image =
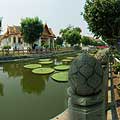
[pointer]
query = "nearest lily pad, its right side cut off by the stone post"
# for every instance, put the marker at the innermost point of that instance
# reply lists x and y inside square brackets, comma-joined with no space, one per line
[60,77]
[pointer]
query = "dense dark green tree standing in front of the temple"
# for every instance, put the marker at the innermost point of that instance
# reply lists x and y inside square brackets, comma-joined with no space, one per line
[31,29]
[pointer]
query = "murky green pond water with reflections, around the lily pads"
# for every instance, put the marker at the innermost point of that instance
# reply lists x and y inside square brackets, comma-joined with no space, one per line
[27,96]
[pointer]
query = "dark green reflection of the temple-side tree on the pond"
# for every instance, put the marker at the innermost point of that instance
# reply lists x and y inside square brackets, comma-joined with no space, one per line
[33,84]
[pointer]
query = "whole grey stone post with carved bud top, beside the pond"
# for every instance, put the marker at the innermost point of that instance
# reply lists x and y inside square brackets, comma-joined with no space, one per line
[86,98]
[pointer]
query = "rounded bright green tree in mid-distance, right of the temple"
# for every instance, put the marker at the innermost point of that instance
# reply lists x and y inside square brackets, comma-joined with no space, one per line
[71,35]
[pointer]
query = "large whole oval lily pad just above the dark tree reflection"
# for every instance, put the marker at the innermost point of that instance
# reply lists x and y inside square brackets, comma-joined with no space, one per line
[43,70]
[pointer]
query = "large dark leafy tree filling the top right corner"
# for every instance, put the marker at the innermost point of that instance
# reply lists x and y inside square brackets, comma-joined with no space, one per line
[103,18]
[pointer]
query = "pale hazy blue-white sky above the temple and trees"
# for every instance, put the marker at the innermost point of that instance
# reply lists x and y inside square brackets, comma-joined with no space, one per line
[57,14]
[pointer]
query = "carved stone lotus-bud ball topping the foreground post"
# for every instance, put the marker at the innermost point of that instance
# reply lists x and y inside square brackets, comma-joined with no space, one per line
[85,75]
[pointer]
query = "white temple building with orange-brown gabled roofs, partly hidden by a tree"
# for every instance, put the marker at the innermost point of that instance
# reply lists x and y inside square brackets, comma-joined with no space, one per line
[13,37]
